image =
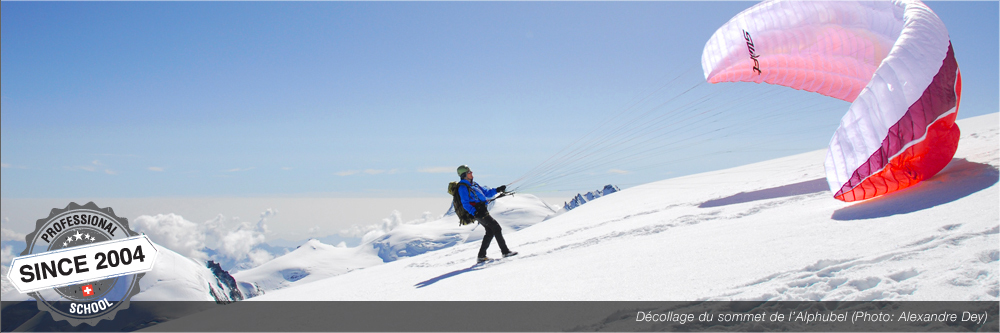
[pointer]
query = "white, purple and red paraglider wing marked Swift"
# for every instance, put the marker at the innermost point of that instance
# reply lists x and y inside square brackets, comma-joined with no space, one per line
[892,60]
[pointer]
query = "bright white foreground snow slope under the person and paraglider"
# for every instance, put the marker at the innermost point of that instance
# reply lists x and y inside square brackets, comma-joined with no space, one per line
[765,231]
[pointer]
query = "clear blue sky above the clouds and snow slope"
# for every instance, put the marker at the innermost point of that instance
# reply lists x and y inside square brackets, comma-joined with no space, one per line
[194,99]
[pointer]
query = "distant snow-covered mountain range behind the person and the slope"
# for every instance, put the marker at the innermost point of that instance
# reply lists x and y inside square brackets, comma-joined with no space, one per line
[224,280]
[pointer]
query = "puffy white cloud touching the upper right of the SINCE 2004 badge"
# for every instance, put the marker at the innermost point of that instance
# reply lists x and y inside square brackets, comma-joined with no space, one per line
[174,232]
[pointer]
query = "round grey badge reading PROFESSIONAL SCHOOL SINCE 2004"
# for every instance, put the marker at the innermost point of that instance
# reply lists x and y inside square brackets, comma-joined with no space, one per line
[82,263]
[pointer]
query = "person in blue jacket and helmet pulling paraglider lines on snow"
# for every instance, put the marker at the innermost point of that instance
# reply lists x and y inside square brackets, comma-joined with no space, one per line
[474,201]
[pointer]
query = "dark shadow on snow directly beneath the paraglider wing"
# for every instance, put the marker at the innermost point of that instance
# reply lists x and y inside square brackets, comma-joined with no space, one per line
[959,179]
